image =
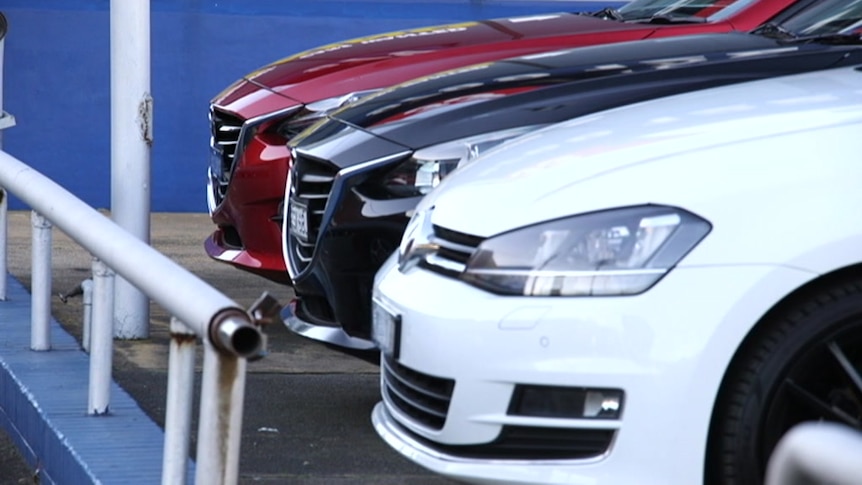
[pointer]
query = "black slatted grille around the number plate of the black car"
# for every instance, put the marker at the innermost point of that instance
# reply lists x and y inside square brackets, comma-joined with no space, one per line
[311,183]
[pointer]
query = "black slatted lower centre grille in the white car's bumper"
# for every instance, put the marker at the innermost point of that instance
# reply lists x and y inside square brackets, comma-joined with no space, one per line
[422,397]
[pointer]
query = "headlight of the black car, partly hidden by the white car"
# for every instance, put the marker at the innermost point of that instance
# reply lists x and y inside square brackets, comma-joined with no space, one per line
[428,166]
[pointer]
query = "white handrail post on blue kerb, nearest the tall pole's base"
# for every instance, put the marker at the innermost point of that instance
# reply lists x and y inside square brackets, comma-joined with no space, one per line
[101,339]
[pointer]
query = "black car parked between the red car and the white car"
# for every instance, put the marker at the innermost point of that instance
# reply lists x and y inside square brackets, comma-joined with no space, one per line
[357,175]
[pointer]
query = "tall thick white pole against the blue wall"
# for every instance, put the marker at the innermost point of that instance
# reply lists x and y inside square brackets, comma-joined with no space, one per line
[131,141]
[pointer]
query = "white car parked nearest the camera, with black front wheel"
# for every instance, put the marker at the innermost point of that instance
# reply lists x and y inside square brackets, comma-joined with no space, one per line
[651,295]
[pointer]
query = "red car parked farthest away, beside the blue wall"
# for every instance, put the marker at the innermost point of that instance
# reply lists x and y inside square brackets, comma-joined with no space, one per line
[254,118]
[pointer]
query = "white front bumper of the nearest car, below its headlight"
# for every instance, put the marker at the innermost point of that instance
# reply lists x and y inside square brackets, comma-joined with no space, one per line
[666,349]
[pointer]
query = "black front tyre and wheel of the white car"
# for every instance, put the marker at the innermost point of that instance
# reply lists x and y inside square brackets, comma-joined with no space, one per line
[804,365]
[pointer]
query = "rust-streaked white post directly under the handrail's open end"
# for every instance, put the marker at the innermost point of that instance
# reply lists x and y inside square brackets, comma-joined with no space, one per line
[220,422]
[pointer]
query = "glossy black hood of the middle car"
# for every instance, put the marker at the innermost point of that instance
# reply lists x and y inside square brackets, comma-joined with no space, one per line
[553,87]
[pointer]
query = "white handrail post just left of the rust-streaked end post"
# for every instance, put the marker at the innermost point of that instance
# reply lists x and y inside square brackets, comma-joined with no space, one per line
[178,413]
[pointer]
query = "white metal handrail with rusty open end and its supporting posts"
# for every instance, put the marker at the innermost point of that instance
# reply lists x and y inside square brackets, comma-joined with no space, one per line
[230,334]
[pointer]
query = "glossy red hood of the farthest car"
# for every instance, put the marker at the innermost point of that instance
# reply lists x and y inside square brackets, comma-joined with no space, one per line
[369,62]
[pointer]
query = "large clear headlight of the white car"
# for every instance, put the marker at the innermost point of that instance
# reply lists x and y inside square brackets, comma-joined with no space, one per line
[616,252]
